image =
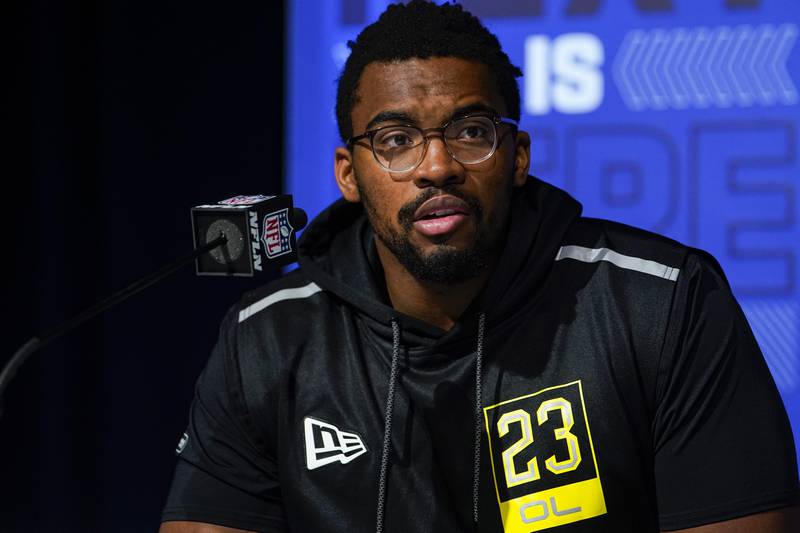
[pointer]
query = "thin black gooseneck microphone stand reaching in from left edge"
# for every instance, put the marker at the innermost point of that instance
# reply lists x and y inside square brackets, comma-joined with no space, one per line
[38,342]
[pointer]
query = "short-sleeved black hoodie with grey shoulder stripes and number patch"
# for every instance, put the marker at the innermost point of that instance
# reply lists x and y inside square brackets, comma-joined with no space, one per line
[604,380]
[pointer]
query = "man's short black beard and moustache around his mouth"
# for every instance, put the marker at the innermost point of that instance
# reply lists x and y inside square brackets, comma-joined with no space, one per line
[445,265]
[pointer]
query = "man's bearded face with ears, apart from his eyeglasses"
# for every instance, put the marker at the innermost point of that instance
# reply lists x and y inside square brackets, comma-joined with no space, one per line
[444,221]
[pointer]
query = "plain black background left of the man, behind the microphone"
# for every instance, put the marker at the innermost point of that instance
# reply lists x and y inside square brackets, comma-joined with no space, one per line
[122,115]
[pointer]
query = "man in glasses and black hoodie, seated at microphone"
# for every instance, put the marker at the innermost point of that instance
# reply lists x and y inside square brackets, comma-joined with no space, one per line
[461,351]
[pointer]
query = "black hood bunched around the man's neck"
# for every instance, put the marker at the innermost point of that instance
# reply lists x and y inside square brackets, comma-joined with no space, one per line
[337,252]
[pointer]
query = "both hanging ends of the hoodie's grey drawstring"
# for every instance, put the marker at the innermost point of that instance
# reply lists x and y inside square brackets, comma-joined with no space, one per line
[387,432]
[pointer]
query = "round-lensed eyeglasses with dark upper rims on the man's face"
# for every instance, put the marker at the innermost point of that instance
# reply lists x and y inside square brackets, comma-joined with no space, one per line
[469,140]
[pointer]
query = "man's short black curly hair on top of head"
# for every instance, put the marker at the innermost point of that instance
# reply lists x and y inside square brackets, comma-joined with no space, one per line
[423,29]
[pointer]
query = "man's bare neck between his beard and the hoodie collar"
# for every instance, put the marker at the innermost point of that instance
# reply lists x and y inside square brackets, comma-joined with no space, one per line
[435,303]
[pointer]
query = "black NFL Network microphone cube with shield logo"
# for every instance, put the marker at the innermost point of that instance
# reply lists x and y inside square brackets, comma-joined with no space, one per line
[259,232]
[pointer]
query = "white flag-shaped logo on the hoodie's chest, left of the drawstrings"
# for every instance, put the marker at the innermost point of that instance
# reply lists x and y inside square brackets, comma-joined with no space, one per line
[326,444]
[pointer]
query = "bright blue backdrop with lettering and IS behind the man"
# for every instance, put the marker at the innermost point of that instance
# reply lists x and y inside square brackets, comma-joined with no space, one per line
[677,116]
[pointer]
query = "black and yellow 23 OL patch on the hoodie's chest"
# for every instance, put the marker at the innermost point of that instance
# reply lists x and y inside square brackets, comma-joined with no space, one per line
[549,426]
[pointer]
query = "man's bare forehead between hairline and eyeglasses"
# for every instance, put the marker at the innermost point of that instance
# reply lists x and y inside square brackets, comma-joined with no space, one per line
[424,88]
